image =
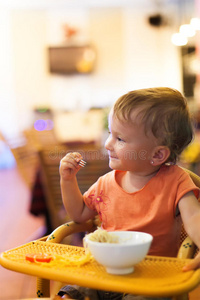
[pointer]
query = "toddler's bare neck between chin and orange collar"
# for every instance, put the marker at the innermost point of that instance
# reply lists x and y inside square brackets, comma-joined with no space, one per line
[131,182]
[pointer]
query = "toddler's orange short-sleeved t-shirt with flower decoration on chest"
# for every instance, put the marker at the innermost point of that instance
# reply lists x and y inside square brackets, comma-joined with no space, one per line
[151,209]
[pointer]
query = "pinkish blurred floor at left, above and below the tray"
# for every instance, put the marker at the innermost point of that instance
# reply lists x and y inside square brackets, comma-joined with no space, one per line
[18,226]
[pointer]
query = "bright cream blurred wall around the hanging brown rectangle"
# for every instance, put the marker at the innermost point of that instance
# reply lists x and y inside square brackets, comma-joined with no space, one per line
[130,54]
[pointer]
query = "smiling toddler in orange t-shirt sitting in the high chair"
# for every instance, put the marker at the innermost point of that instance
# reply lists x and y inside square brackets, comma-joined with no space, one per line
[145,191]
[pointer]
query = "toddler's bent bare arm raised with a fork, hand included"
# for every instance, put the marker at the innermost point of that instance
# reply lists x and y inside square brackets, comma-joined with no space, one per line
[71,194]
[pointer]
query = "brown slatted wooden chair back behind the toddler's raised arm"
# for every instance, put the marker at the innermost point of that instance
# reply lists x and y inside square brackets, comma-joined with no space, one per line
[97,165]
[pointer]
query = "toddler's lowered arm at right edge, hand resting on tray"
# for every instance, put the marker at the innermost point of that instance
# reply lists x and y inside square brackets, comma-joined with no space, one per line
[190,213]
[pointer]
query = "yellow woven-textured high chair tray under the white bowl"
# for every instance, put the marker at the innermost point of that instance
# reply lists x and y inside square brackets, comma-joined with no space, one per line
[154,276]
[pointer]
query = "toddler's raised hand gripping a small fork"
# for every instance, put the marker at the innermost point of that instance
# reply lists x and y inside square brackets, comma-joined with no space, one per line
[69,165]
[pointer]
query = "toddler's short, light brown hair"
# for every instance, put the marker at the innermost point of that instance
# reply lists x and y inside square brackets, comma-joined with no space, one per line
[164,111]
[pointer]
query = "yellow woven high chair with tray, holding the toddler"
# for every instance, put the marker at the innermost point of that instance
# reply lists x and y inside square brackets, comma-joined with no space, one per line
[155,276]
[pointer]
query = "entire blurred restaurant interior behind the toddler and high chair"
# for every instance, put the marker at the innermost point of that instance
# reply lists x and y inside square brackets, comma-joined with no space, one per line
[63,64]
